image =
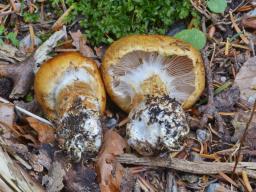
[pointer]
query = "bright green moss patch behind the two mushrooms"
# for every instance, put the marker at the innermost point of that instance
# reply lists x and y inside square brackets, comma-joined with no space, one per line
[104,21]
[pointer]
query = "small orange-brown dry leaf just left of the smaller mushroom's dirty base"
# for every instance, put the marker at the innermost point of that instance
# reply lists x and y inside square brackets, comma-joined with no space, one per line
[45,132]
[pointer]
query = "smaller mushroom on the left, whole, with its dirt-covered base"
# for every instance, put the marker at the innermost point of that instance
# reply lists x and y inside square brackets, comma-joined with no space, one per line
[71,93]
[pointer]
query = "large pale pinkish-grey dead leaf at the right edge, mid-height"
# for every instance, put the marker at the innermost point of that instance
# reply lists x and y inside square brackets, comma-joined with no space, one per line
[246,80]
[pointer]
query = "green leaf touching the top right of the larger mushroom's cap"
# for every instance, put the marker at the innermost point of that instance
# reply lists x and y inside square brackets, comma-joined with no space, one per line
[193,36]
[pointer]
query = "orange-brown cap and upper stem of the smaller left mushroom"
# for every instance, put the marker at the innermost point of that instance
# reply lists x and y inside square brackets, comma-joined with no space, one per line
[64,78]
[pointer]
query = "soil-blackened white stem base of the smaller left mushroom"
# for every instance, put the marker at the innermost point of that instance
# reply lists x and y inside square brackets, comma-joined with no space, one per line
[81,131]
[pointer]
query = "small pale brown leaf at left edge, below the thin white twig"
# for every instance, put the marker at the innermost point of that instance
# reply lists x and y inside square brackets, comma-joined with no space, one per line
[6,115]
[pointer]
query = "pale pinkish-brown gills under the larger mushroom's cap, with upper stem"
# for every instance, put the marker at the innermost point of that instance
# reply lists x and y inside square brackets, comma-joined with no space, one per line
[149,73]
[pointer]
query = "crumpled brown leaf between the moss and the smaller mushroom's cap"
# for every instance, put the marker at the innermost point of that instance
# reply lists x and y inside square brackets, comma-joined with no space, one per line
[79,41]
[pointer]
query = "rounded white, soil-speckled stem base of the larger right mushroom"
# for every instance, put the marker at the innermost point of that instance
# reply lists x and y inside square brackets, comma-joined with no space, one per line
[156,124]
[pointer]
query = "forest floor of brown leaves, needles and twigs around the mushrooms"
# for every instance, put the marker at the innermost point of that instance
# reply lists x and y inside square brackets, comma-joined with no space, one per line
[218,155]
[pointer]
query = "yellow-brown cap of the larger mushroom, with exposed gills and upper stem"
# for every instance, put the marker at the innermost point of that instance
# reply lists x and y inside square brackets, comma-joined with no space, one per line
[181,66]
